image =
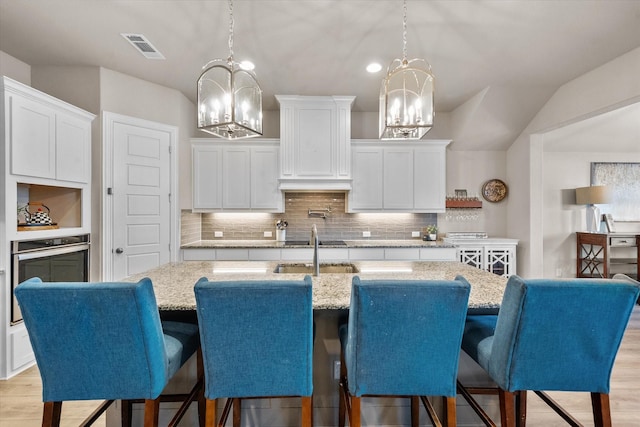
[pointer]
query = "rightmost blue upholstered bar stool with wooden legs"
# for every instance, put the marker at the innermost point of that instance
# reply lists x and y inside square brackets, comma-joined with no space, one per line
[550,335]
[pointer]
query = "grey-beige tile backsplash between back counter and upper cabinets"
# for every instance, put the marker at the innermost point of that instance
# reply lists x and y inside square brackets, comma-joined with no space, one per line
[337,224]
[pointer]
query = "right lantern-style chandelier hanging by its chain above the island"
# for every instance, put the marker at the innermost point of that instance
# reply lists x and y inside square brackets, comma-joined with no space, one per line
[406,95]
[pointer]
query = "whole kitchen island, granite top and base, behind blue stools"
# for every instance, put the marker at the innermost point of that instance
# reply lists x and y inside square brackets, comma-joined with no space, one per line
[173,285]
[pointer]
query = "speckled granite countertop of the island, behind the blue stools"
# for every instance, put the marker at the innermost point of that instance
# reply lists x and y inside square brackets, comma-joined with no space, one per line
[173,282]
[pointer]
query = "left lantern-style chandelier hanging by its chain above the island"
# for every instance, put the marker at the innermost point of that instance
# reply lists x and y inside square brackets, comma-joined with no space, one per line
[229,97]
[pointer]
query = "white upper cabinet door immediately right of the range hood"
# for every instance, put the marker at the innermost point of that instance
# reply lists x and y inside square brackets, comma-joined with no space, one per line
[366,192]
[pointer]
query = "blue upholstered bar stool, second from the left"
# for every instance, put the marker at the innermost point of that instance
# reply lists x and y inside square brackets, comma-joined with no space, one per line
[257,341]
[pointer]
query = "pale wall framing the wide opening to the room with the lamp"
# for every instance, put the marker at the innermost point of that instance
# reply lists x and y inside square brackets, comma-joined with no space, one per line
[614,84]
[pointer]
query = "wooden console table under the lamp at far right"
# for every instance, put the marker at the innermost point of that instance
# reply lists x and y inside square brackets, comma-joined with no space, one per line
[603,255]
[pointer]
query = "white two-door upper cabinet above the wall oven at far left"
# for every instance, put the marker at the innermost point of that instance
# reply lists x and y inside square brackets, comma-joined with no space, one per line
[59,133]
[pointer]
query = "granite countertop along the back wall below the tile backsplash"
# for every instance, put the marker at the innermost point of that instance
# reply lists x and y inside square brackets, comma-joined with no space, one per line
[365,243]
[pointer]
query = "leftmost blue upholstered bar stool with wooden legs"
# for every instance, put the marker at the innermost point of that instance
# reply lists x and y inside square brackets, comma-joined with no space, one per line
[95,341]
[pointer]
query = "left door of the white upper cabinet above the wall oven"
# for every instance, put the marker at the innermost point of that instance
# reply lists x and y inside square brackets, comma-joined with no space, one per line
[33,143]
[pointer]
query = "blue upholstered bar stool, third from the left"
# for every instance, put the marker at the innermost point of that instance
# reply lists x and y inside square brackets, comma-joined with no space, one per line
[403,339]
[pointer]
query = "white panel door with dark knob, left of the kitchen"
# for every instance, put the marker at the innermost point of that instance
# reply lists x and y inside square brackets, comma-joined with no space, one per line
[141,199]
